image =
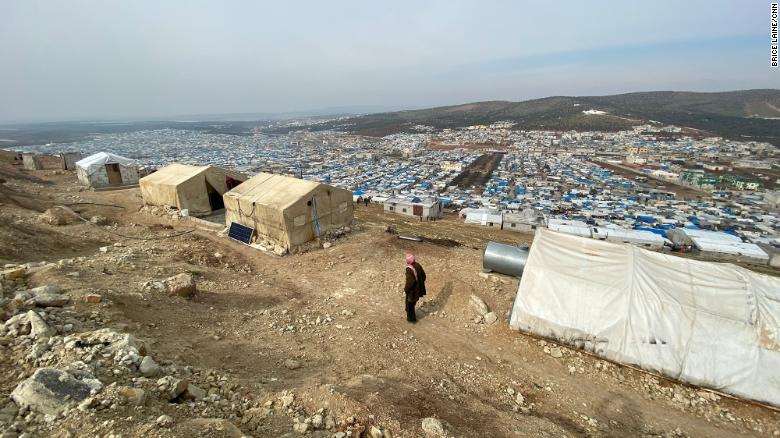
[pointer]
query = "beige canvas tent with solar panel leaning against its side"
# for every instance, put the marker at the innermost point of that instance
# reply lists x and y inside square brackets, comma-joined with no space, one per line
[288,211]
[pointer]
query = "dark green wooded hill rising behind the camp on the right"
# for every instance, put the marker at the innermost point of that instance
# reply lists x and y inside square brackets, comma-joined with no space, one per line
[749,114]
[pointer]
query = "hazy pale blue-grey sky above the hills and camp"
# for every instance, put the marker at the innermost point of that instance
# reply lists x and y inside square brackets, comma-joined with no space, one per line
[70,60]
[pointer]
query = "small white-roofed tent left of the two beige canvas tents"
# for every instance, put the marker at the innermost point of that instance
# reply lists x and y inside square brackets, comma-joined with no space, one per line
[105,169]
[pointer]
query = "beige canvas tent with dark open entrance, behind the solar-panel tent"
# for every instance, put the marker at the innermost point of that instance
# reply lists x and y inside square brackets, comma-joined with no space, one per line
[198,189]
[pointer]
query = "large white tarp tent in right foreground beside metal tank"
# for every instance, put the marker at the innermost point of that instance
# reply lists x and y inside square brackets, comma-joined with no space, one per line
[710,324]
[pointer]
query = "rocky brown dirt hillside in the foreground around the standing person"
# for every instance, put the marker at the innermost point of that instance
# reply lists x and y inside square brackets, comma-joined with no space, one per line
[131,324]
